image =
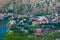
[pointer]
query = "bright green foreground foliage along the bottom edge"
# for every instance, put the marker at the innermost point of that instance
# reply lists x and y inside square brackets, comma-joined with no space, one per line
[26,36]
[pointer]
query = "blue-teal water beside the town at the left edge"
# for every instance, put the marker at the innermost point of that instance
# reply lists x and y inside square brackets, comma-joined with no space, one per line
[3,28]
